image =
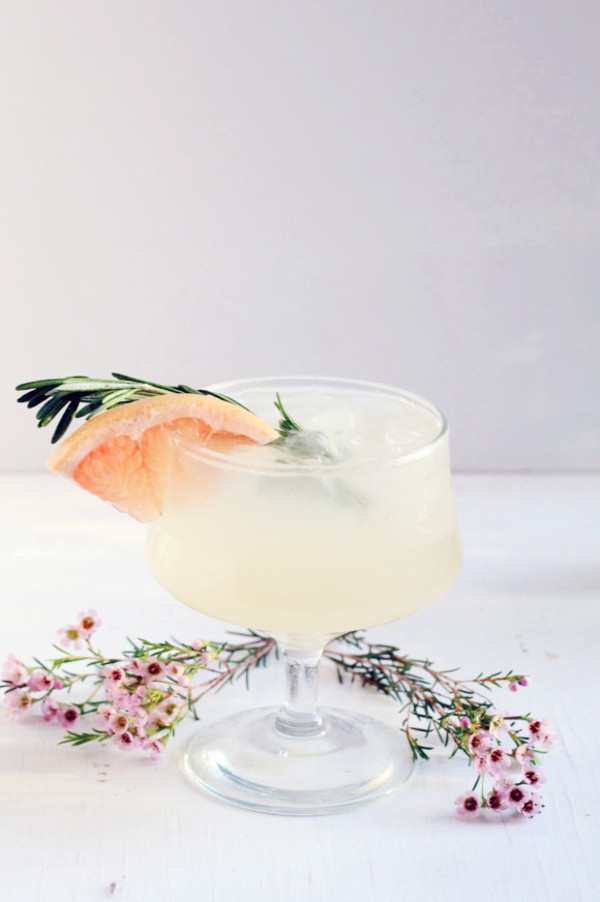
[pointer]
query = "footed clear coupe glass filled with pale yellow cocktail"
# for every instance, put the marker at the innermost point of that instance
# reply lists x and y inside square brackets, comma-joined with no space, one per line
[347,525]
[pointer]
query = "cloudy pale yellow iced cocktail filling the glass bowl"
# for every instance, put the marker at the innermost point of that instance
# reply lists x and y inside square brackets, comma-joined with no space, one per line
[349,524]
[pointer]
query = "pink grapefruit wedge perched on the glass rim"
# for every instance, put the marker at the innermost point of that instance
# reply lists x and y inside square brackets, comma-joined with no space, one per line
[121,455]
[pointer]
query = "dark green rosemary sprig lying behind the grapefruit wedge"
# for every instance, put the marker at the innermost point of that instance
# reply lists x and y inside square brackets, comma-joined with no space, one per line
[81,396]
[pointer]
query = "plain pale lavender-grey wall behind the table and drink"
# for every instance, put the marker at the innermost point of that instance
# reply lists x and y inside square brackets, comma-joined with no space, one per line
[400,191]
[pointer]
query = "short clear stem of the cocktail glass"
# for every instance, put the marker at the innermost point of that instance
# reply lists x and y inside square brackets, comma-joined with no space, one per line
[299,715]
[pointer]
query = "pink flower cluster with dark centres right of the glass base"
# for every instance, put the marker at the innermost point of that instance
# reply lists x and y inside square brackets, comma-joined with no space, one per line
[491,759]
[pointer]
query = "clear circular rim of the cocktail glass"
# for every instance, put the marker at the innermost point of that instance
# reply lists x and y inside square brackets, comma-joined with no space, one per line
[282,468]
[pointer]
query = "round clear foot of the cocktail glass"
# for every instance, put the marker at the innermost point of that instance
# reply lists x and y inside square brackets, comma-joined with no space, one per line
[347,761]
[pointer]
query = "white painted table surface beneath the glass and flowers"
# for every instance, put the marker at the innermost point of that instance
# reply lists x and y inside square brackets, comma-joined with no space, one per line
[97,823]
